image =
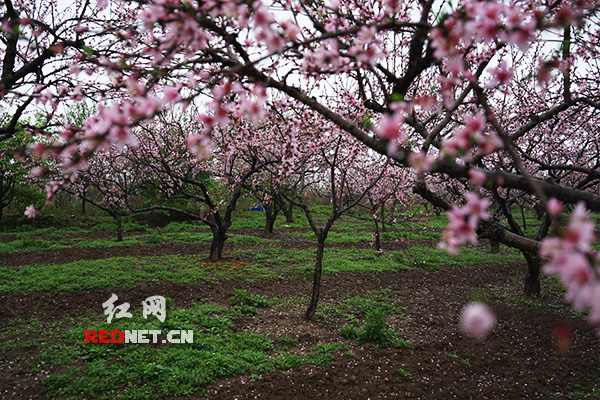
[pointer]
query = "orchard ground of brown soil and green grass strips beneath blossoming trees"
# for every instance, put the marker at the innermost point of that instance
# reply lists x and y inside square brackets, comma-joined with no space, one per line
[246,313]
